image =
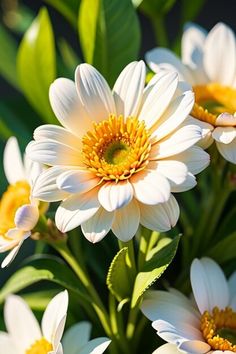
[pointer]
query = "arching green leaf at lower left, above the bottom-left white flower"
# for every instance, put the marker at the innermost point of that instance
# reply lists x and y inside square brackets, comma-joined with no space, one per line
[44,268]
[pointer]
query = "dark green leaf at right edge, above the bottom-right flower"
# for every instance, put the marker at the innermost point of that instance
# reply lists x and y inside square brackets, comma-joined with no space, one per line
[224,250]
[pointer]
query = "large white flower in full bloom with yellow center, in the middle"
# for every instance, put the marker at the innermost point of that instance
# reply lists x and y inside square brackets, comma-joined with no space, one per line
[120,153]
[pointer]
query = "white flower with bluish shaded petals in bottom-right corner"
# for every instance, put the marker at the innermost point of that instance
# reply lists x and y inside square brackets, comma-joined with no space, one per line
[207,327]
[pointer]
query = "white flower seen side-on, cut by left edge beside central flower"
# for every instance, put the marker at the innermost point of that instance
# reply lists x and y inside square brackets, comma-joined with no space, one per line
[18,210]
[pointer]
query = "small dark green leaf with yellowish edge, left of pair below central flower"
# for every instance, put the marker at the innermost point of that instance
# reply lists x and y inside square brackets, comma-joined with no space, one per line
[119,279]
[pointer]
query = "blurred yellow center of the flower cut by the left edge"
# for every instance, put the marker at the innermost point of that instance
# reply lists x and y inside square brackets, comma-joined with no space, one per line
[15,196]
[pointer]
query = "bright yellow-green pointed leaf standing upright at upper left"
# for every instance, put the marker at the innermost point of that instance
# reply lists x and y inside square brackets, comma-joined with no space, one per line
[36,65]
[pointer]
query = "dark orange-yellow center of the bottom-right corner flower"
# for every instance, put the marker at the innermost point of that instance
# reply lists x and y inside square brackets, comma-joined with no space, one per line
[219,329]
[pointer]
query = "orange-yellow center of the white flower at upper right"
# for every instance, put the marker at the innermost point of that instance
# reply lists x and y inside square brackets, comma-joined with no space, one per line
[211,100]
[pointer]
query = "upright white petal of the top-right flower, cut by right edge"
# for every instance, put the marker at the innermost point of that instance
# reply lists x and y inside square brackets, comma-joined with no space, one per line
[220,55]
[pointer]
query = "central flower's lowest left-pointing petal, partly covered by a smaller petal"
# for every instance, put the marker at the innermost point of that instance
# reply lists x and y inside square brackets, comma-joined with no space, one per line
[45,187]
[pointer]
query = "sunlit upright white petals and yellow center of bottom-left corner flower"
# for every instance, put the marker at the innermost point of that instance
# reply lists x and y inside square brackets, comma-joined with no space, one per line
[24,334]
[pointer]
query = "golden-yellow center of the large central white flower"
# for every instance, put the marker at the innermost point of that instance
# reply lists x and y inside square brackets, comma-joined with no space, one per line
[116,148]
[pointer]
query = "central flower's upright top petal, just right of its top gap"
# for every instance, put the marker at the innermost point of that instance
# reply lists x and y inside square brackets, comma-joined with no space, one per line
[128,89]
